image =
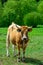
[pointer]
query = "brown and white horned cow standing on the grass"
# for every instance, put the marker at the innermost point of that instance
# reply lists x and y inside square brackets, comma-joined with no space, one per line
[19,37]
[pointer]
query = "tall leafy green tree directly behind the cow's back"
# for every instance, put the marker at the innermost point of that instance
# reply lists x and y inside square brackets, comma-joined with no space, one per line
[12,13]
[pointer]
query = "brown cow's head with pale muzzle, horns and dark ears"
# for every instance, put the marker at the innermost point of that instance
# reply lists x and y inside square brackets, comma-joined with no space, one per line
[24,31]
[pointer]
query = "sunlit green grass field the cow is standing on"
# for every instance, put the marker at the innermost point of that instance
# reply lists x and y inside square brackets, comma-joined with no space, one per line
[34,51]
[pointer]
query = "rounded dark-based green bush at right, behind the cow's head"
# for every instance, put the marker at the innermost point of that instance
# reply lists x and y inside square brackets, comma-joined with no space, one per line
[32,19]
